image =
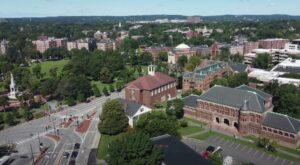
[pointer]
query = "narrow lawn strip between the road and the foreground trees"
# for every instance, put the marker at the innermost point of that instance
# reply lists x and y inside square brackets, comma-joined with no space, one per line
[103,144]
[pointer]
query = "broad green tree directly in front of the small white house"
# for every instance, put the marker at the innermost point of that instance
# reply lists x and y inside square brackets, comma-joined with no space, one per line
[158,123]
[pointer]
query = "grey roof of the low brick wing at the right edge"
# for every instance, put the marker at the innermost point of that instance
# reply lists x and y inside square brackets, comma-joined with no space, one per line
[282,122]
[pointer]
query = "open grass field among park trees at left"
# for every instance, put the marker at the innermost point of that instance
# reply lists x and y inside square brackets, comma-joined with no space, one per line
[47,65]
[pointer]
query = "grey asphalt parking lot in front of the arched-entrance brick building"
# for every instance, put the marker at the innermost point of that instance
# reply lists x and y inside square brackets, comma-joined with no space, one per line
[239,152]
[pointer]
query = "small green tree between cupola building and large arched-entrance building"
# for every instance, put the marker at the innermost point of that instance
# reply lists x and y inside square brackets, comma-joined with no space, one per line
[175,107]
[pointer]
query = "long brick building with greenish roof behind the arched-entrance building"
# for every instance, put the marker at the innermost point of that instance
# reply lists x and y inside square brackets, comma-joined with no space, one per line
[201,78]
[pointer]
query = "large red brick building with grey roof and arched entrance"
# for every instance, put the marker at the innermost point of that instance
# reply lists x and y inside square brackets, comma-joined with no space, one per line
[242,111]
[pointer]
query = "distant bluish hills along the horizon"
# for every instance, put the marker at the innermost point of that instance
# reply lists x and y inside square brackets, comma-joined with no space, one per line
[90,19]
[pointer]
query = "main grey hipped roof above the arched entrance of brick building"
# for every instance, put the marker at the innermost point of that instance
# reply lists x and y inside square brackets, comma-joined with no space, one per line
[235,98]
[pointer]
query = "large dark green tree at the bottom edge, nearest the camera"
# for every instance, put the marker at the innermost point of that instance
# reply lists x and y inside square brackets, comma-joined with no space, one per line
[134,148]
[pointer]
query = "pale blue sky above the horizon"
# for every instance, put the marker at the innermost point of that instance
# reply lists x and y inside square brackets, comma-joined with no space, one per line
[42,8]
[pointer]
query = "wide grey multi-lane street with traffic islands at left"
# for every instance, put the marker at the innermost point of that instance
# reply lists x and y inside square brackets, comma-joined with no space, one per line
[28,136]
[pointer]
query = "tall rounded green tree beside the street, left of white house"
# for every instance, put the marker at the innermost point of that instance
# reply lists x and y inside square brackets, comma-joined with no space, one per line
[113,118]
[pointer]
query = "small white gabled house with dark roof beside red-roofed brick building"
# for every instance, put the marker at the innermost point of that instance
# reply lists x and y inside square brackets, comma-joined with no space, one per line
[134,110]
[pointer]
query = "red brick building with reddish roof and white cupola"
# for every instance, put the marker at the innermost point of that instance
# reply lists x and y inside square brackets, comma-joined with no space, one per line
[151,89]
